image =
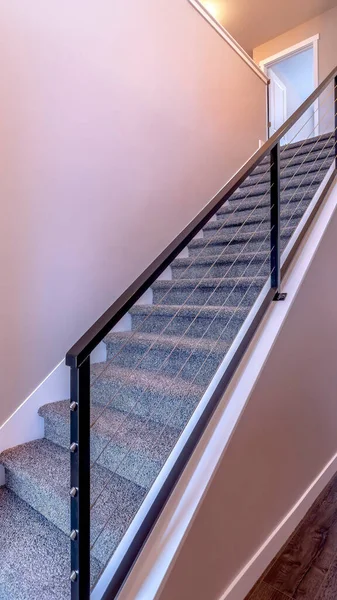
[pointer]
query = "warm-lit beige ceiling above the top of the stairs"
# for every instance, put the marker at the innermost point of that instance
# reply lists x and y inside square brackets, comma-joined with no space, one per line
[254,22]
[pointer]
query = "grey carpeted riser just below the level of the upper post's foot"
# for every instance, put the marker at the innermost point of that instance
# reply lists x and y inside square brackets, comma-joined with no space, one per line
[195,327]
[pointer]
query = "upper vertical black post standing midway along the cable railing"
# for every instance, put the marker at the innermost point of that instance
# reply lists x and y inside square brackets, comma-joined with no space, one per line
[275,218]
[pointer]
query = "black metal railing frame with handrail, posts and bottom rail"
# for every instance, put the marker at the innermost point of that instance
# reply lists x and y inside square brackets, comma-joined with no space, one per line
[78,358]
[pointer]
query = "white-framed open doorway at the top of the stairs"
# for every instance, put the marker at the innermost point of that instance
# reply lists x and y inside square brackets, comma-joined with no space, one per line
[293,76]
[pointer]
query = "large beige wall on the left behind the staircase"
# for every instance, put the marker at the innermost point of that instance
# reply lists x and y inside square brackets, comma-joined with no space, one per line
[118,122]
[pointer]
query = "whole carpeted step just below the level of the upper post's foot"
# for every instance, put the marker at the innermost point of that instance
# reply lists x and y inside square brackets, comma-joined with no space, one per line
[194,321]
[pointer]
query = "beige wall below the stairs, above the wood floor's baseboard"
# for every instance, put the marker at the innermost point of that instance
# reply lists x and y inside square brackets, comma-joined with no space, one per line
[286,436]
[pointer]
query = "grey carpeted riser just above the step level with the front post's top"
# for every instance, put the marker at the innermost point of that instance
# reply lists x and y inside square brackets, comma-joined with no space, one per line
[178,363]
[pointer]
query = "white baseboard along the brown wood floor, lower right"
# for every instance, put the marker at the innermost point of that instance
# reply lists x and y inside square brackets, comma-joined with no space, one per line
[253,570]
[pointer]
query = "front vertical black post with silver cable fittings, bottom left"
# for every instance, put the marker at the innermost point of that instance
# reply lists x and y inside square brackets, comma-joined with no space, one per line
[80,480]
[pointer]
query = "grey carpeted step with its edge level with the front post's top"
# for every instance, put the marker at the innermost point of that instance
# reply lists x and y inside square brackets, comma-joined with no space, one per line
[145,393]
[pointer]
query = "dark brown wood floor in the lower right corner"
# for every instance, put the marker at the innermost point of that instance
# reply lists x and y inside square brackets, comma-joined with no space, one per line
[306,567]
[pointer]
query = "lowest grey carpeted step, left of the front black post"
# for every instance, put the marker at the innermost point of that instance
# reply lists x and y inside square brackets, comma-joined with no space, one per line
[34,555]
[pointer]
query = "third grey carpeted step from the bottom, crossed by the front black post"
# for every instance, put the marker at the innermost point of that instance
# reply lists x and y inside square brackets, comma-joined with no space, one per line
[126,444]
